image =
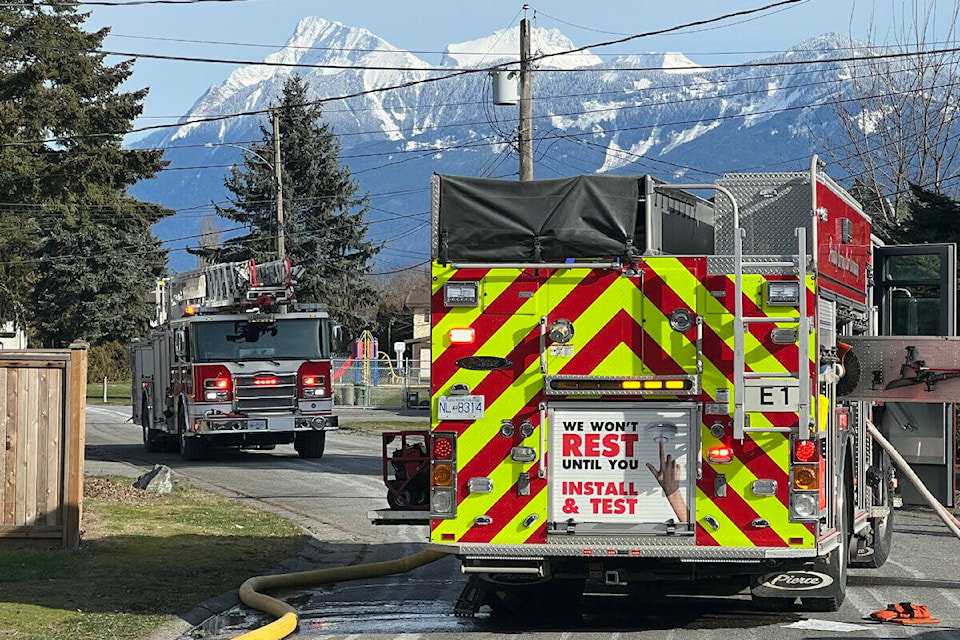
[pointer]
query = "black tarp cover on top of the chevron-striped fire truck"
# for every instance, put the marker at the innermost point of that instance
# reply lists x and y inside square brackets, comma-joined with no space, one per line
[486,220]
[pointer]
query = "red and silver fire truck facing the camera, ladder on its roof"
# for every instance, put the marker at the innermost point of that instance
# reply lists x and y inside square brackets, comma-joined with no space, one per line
[234,361]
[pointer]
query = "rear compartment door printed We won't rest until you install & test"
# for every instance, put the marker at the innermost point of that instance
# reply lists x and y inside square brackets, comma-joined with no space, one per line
[624,469]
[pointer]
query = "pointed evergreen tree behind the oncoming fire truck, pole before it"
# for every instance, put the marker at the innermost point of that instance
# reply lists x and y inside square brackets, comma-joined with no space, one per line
[324,216]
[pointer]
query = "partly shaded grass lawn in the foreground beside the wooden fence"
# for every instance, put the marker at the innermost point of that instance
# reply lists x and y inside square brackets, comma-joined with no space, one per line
[143,558]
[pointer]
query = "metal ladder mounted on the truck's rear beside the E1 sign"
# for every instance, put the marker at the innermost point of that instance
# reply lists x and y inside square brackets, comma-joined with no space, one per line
[740,322]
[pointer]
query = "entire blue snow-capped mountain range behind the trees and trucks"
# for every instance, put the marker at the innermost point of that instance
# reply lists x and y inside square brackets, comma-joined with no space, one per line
[661,114]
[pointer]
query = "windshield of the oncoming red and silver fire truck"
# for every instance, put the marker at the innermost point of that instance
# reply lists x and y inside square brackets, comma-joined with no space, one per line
[268,339]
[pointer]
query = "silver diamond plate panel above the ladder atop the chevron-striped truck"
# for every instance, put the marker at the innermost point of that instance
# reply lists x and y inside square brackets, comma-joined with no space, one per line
[771,205]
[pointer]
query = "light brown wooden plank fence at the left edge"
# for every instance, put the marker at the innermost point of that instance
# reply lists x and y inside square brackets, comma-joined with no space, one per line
[42,412]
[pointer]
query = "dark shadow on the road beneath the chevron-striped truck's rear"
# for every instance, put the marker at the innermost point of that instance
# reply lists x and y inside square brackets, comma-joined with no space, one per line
[615,614]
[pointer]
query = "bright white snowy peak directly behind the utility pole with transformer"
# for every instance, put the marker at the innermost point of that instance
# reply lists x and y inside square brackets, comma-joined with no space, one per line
[504,45]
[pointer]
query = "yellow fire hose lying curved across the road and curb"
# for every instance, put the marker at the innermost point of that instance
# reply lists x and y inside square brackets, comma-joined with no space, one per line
[287,619]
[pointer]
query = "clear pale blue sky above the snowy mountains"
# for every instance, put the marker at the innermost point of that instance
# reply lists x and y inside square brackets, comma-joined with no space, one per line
[429,25]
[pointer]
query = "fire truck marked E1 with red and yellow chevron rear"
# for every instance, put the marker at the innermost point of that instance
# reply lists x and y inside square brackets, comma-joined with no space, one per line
[634,386]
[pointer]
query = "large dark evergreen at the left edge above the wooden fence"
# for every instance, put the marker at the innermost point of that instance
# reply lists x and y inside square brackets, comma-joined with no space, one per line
[82,250]
